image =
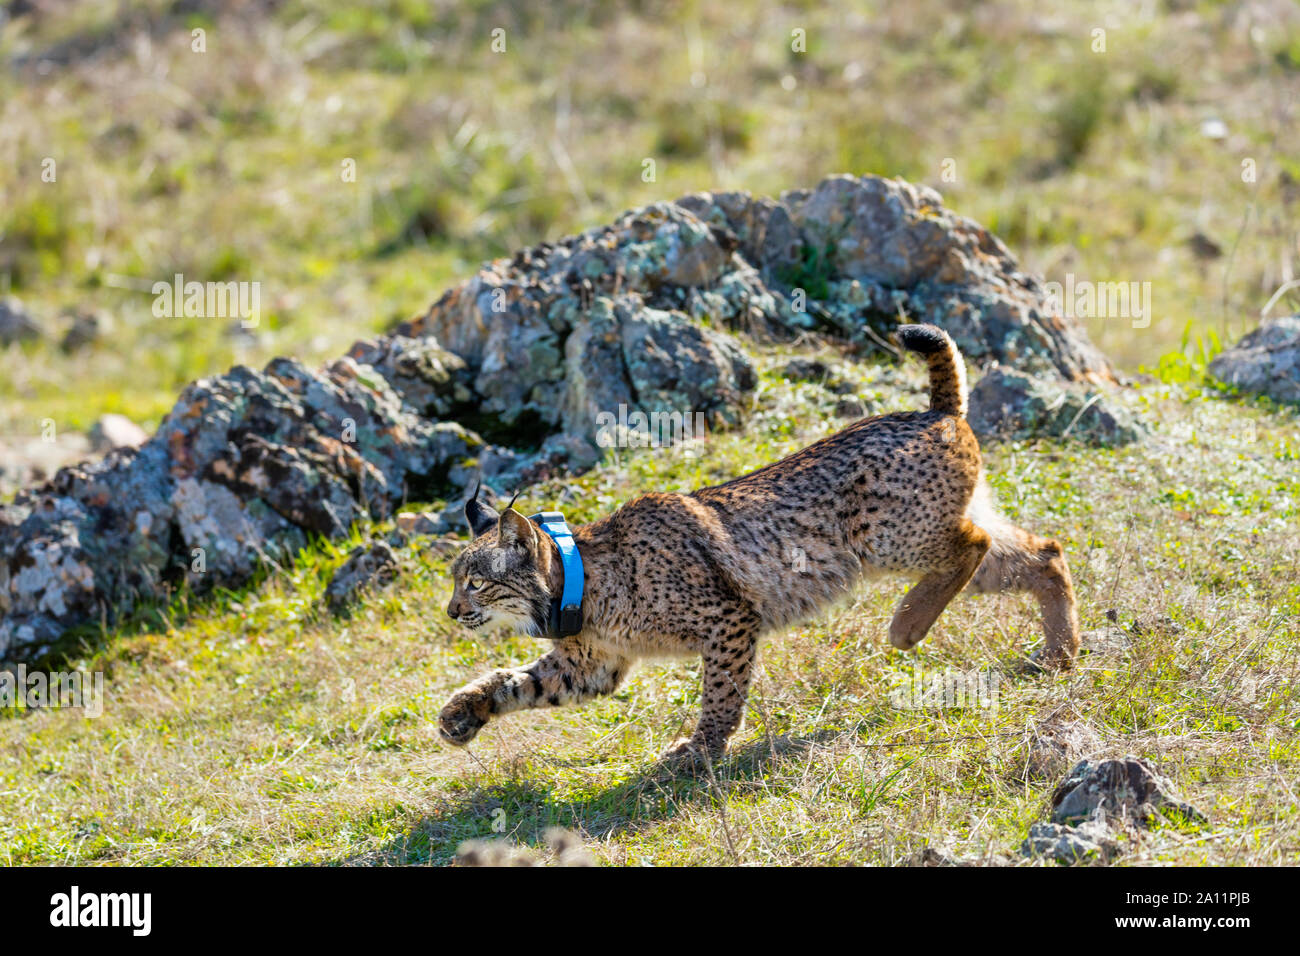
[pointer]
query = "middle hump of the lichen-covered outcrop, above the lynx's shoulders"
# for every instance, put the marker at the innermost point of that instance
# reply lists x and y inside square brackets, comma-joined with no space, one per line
[565,331]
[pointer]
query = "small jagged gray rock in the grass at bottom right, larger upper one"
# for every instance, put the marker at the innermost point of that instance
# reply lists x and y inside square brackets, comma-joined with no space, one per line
[1126,790]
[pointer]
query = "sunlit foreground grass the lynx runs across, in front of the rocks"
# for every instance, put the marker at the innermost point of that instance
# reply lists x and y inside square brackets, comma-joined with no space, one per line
[253,728]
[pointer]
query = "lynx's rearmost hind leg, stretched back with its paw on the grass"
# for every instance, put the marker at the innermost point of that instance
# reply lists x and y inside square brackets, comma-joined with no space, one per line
[1020,561]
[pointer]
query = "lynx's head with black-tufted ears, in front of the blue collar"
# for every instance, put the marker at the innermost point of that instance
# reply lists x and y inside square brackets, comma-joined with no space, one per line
[501,578]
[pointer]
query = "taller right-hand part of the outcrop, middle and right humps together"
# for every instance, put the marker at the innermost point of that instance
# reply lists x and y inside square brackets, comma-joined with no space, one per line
[851,258]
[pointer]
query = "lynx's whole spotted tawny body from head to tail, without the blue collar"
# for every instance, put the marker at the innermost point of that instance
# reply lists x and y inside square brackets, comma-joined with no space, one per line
[712,572]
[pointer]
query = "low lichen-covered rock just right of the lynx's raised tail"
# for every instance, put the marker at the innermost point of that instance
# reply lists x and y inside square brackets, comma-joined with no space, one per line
[1011,405]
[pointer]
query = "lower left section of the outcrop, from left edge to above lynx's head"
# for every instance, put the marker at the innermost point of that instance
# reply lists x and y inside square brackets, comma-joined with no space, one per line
[242,469]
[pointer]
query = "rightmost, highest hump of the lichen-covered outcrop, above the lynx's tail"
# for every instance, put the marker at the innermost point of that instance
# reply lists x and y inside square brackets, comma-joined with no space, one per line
[868,250]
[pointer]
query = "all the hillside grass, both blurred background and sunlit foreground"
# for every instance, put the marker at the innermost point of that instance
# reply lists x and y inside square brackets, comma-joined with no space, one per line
[255,728]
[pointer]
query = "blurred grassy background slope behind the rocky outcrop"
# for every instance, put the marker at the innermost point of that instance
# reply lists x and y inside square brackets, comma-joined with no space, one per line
[228,165]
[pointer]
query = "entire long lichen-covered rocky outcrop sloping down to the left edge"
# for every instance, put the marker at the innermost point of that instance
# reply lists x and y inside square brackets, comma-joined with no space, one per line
[506,378]
